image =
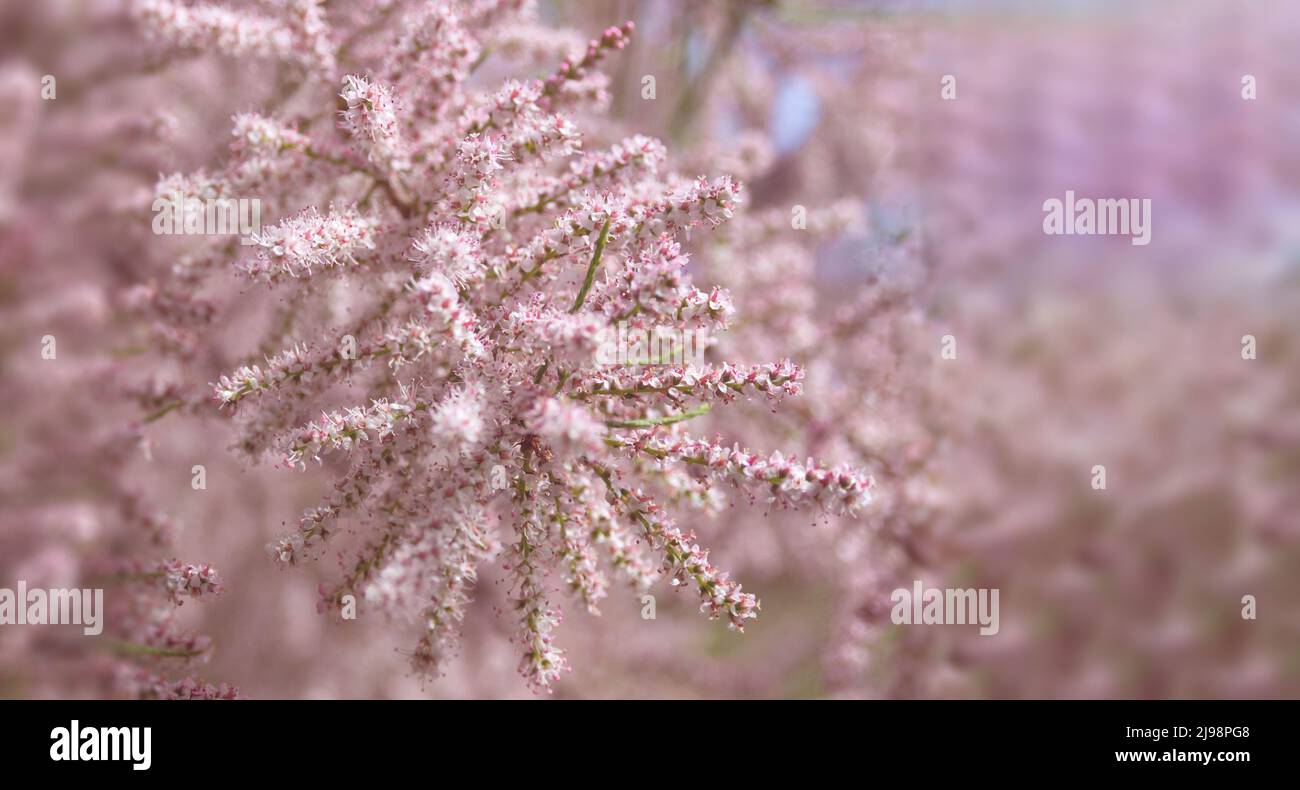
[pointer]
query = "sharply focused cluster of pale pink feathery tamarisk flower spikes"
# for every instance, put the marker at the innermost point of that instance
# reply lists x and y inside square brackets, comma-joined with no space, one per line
[447,261]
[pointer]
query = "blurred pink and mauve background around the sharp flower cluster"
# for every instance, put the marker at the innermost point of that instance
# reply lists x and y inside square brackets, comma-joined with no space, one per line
[925,223]
